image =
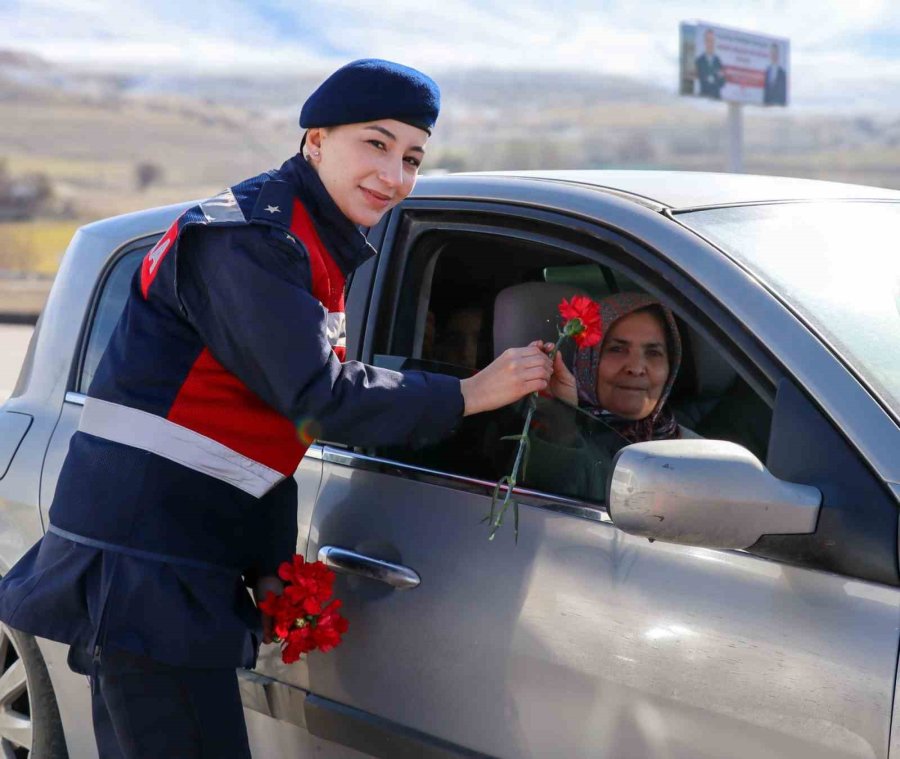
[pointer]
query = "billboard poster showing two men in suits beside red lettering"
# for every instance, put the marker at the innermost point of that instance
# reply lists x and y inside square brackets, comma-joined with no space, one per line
[733,65]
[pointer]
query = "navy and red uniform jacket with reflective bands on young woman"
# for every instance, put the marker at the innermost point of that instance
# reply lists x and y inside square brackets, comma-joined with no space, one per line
[177,489]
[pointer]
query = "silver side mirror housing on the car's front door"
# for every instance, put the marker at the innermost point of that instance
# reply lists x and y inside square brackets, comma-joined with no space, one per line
[707,493]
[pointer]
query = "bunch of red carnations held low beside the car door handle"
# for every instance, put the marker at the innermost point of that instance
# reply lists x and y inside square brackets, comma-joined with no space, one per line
[305,616]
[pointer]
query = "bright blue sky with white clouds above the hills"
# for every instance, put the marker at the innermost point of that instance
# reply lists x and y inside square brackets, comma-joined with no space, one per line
[842,51]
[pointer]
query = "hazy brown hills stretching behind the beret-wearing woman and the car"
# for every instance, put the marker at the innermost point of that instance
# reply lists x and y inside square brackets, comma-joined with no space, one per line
[89,131]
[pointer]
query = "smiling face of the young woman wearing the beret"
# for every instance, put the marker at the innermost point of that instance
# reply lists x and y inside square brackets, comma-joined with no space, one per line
[367,168]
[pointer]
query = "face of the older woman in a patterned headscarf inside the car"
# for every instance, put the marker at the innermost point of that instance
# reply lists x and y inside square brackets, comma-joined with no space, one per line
[634,366]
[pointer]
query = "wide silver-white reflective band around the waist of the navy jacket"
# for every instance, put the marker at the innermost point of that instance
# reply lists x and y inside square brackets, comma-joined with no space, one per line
[155,434]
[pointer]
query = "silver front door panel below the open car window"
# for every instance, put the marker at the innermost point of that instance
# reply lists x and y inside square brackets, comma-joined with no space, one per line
[583,641]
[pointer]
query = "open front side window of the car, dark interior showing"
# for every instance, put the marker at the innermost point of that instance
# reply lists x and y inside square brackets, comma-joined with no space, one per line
[464,300]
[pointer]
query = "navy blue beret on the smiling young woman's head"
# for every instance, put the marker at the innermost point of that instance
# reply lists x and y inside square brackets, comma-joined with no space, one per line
[371,89]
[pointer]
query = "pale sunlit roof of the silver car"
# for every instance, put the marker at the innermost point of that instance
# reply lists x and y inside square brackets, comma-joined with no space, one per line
[684,190]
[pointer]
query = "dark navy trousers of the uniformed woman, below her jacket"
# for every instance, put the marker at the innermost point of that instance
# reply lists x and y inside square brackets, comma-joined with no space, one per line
[143,708]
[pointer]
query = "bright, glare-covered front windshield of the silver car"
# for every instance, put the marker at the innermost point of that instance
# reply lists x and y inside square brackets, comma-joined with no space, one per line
[836,264]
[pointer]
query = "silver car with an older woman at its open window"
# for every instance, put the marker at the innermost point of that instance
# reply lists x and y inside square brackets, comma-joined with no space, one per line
[730,596]
